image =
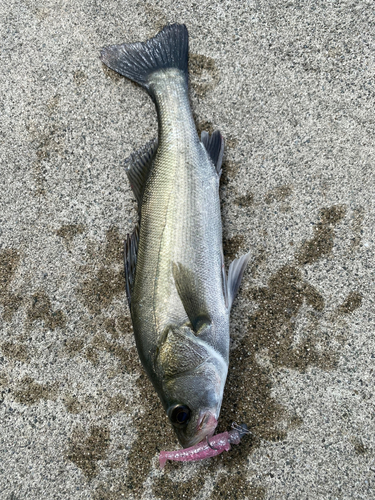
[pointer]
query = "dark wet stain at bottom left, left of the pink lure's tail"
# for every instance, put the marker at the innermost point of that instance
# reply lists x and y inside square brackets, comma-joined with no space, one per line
[85,452]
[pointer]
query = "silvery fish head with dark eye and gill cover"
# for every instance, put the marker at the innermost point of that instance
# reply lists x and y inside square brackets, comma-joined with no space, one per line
[193,376]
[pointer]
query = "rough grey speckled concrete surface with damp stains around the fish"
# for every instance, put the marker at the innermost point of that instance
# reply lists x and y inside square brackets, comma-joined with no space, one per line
[291,86]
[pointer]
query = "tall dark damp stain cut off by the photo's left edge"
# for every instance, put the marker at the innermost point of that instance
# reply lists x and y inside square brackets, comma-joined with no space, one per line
[9,261]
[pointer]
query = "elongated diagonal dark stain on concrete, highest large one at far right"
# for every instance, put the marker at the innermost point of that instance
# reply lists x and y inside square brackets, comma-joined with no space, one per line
[322,243]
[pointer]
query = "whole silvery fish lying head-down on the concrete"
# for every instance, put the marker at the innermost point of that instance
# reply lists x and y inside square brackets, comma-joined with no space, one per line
[177,289]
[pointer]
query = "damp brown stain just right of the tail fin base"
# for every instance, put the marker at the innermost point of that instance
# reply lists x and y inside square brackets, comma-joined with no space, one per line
[203,72]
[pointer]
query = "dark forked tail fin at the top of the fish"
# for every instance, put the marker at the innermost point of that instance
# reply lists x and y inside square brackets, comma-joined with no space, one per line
[137,61]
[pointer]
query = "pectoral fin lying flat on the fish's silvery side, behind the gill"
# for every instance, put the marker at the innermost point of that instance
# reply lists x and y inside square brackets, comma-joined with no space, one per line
[192,298]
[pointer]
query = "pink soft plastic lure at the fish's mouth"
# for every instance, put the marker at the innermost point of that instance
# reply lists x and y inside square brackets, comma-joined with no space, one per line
[205,449]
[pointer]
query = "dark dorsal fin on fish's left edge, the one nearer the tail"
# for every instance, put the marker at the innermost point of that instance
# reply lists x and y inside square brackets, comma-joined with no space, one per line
[138,168]
